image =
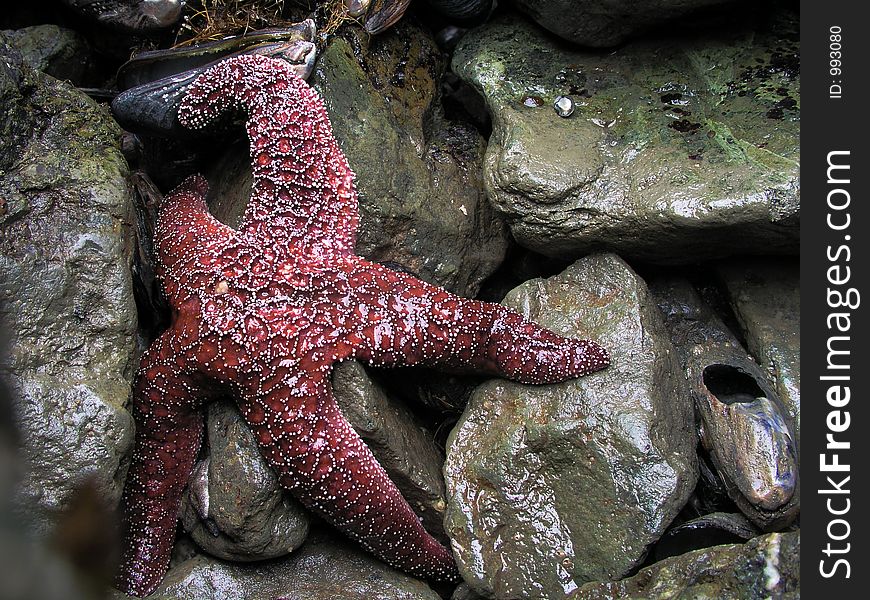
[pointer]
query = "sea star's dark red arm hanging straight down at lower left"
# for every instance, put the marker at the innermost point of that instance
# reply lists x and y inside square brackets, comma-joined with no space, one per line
[168,434]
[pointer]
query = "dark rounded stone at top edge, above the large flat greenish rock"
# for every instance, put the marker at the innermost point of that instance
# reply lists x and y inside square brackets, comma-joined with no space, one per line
[602,23]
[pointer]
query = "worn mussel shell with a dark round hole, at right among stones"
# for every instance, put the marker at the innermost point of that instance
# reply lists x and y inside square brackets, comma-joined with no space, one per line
[743,425]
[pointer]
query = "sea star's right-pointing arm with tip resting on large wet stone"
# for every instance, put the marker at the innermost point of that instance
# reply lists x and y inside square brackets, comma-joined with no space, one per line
[401,320]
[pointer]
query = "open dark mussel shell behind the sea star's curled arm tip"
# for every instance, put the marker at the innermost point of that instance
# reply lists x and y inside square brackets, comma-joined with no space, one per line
[160,79]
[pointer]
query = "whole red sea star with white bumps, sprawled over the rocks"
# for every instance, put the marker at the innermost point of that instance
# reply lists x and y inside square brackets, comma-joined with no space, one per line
[264,312]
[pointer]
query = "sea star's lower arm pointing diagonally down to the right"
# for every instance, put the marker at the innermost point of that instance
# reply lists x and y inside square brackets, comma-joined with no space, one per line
[324,463]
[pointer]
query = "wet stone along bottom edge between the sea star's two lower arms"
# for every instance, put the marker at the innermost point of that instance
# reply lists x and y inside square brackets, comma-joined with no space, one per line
[323,569]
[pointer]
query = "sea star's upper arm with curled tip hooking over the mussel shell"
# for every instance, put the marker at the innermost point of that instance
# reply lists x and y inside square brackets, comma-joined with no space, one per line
[303,193]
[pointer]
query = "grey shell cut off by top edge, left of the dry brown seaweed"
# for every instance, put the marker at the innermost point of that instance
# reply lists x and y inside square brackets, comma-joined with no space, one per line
[141,16]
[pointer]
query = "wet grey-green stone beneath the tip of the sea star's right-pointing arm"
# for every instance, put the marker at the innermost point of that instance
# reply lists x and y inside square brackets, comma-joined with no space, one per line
[553,486]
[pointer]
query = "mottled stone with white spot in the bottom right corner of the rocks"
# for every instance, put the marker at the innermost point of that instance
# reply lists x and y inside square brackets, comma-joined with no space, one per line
[765,567]
